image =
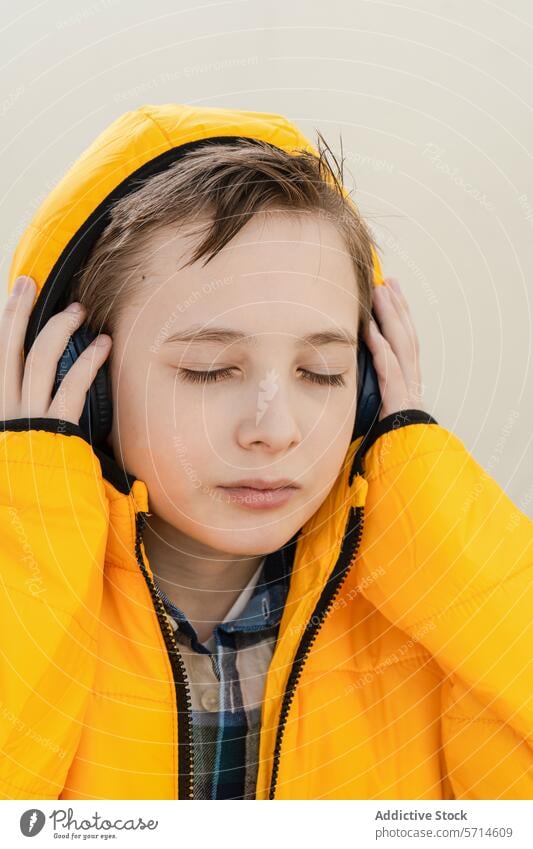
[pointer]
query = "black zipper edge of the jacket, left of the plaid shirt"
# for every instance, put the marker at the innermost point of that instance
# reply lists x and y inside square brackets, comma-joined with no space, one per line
[183,693]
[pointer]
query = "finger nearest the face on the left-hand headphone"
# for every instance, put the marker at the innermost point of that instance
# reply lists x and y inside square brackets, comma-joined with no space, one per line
[69,400]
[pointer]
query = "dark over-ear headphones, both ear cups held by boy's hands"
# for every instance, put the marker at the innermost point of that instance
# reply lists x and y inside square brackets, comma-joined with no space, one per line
[97,416]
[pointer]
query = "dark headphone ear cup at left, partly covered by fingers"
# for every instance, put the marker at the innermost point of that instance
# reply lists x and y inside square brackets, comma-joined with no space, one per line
[97,415]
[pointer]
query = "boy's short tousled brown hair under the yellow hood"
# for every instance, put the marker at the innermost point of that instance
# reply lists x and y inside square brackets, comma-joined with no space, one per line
[220,186]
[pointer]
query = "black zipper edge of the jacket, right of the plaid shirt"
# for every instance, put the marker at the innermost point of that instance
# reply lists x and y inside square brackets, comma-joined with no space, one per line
[346,559]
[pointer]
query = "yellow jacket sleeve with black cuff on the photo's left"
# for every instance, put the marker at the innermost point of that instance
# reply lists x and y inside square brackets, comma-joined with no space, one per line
[53,530]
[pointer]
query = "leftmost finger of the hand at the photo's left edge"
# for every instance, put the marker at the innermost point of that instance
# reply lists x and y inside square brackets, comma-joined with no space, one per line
[13,326]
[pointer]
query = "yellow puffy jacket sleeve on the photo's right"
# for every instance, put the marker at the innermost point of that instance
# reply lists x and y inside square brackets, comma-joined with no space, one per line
[456,556]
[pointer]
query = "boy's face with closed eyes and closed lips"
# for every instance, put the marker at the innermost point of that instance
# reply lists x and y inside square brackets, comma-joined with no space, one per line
[280,279]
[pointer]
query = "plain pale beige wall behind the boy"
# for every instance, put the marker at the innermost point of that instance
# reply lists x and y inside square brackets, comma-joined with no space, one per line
[434,103]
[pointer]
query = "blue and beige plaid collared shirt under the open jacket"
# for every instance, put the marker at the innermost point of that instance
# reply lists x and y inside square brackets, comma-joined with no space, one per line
[226,675]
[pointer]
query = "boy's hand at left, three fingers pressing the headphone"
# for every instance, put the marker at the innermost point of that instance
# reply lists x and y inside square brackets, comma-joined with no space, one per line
[27,389]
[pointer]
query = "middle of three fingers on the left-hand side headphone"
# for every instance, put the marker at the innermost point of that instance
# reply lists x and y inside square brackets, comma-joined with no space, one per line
[43,357]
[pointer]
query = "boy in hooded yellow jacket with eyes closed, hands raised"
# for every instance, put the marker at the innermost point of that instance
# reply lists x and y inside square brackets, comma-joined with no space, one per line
[234,597]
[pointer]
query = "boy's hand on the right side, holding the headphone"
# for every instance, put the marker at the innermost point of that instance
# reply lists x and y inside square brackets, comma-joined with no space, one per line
[395,351]
